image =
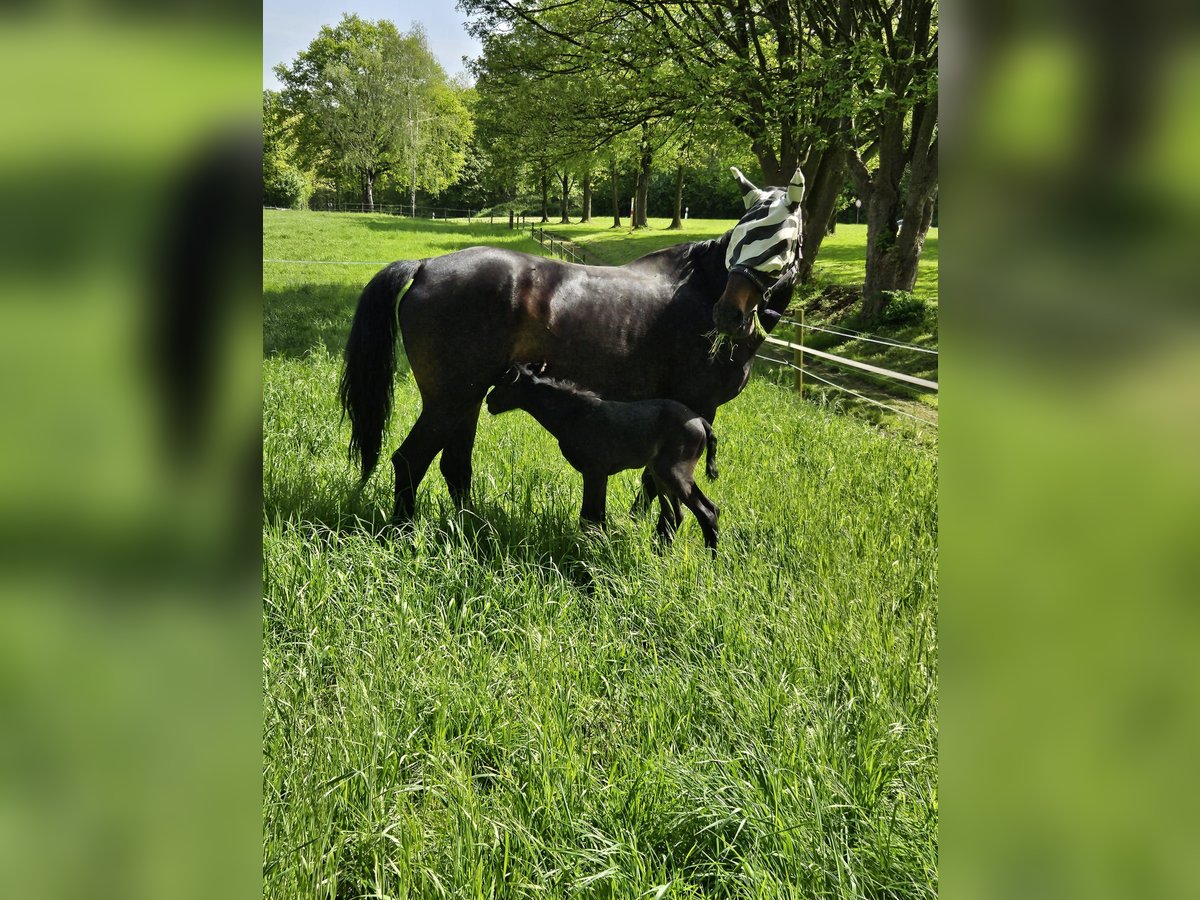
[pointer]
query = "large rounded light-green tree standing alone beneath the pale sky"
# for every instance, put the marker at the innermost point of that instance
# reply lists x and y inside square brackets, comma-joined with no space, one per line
[370,103]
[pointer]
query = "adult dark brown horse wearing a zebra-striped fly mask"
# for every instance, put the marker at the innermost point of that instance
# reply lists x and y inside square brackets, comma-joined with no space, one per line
[679,323]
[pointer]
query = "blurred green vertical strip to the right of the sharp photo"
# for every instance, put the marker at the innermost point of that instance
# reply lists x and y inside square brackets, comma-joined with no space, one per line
[1071,482]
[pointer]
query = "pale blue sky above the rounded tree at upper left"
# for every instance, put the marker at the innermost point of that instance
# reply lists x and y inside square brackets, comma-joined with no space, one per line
[290,26]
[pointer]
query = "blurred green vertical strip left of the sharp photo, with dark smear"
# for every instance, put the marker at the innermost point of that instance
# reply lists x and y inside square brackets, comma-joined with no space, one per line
[129,567]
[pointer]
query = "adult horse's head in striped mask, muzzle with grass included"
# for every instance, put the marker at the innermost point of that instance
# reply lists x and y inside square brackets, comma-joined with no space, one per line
[765,244]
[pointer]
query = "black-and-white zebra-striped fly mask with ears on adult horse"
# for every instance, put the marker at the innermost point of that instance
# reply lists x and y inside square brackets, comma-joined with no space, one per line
[767,239]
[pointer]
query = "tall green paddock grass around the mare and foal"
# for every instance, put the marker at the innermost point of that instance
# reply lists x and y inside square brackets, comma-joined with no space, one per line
[496,705]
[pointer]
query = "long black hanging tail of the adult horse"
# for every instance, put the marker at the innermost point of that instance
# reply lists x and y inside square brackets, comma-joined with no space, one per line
[370,369]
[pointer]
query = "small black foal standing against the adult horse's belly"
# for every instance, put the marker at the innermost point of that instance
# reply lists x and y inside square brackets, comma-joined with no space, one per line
[603,437]
